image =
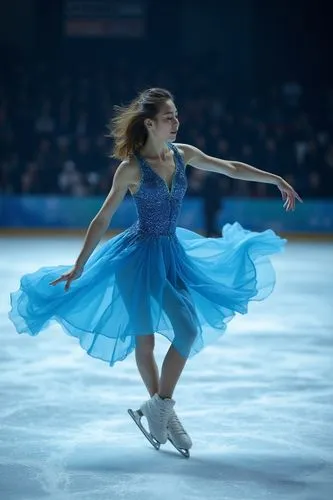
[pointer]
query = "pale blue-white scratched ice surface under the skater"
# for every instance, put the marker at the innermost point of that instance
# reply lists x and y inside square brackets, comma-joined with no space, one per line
[258,404]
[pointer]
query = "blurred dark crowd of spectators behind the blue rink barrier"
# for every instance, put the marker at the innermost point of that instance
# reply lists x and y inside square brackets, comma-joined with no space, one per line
[53,134]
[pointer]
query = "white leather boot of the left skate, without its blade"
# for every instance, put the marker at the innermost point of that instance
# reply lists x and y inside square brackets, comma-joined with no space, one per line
[157,412]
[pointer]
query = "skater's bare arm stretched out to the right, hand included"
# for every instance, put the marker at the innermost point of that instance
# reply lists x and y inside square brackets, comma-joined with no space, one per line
[239,170]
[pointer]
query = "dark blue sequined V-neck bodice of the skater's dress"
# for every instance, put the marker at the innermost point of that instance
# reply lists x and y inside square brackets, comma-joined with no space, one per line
[157,206]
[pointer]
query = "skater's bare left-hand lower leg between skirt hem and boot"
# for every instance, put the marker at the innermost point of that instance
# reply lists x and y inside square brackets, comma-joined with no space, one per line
[145,360]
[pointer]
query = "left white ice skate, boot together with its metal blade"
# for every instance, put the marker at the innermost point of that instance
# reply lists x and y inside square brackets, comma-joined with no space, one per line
[157,412]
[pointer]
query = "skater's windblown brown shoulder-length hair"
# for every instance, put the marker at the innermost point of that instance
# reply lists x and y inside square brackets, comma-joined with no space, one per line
[127,127]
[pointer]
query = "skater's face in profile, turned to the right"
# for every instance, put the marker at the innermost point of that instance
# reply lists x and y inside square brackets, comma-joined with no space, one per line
[165,124]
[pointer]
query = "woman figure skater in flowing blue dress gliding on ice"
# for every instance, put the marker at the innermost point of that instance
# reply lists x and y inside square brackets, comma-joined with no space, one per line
[154,276]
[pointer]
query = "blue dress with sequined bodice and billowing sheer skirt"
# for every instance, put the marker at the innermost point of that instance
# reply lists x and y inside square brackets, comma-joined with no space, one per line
[152,277]
